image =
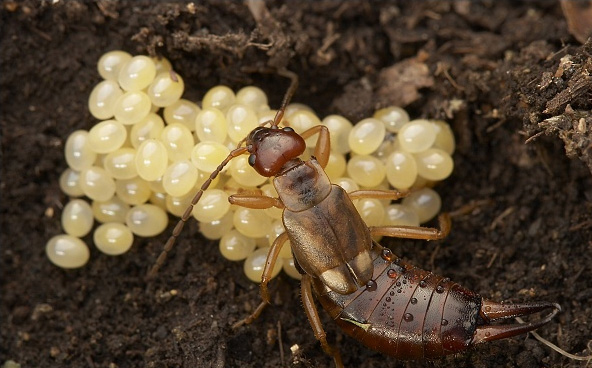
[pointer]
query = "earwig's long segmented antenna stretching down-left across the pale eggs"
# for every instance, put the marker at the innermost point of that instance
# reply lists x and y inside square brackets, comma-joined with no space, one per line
[187,214]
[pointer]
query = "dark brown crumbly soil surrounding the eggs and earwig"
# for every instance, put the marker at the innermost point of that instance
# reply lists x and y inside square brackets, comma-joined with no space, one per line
[499,72]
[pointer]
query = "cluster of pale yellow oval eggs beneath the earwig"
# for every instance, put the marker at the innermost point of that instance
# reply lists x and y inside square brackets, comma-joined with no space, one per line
[152,150]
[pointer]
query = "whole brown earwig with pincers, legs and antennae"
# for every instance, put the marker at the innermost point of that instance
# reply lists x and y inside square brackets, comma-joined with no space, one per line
[374,296]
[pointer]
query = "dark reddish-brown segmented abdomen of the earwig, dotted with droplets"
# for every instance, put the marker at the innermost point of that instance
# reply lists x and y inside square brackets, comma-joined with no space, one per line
[416,313]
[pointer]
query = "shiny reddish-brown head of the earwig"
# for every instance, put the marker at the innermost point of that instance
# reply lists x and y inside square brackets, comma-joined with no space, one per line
[271,148]
